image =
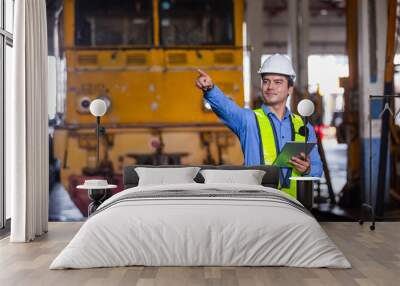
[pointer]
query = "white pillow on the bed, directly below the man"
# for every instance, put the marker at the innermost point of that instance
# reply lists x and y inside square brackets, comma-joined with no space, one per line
[248,177]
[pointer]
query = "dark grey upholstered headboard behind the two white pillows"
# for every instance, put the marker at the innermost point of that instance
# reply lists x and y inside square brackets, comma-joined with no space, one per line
[270,179]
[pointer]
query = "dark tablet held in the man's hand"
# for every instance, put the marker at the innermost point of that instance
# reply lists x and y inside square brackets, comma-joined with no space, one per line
[291,149]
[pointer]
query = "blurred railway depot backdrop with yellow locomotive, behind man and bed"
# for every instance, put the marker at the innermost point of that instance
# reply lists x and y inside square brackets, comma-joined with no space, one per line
[141,57]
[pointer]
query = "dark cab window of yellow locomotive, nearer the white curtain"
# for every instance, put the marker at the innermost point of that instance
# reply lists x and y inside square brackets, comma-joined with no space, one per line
[113,23]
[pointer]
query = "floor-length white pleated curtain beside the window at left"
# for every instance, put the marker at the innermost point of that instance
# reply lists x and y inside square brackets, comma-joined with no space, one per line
[26,124]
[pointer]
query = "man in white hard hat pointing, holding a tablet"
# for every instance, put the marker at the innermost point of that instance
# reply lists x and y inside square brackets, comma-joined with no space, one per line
[263,132]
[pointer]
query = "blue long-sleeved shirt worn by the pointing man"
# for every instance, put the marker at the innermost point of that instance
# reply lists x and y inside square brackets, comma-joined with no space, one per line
[243,123]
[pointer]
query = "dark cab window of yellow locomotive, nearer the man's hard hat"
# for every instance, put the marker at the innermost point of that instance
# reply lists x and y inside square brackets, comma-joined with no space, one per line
[196,22]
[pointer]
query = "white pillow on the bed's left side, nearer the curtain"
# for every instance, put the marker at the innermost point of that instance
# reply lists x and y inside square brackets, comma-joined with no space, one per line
[163,176]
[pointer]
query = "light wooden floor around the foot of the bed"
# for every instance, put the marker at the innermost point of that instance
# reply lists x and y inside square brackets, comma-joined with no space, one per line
[375,257]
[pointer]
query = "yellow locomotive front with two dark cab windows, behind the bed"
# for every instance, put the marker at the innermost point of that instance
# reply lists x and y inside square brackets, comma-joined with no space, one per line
[141,57]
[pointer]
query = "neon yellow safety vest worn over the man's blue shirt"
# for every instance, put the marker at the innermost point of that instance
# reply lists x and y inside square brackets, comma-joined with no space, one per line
[269,148]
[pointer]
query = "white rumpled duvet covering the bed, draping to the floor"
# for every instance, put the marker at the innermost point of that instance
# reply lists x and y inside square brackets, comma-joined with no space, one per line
[183,231]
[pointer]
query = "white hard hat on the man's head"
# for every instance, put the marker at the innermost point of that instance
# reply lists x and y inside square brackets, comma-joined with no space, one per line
[279,64]
